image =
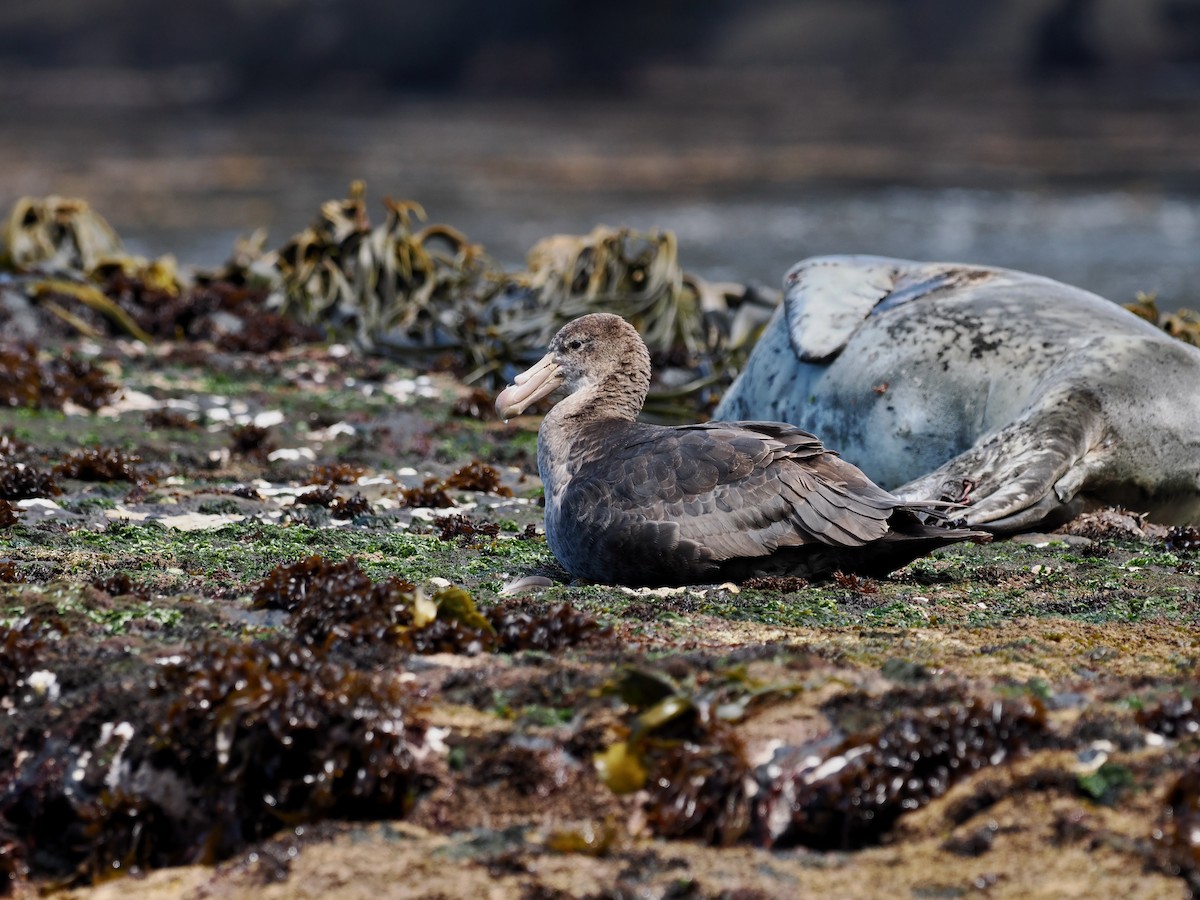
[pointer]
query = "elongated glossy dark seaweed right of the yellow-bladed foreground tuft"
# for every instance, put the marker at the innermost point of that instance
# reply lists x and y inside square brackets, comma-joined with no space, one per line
[853,795]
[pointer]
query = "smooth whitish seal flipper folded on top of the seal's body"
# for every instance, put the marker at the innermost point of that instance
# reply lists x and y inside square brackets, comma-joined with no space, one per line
[827,298]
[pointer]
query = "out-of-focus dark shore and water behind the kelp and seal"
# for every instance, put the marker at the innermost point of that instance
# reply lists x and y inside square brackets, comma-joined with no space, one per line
[1057,136]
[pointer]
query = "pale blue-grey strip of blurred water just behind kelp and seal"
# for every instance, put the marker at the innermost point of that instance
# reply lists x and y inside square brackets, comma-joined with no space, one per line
[1113,243]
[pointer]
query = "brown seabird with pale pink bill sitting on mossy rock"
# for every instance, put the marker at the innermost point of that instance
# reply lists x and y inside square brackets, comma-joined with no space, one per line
[646,505]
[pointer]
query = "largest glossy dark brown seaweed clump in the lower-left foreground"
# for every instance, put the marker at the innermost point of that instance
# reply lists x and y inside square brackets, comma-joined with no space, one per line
[271,735]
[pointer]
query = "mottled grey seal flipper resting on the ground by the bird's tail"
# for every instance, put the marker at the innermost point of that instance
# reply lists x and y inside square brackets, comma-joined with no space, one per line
[1027,472]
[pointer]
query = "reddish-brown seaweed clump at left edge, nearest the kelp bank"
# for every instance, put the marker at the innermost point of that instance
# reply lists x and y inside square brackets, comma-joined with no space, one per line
[25,382]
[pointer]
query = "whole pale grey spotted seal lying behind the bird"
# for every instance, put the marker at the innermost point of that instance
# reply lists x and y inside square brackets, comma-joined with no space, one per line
[1027,399]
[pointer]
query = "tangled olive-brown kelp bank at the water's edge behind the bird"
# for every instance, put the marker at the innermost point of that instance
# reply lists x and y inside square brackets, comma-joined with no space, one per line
[424,293]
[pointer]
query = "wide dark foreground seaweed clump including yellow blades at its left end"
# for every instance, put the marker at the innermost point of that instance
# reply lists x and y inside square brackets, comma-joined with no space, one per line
[685,753]
